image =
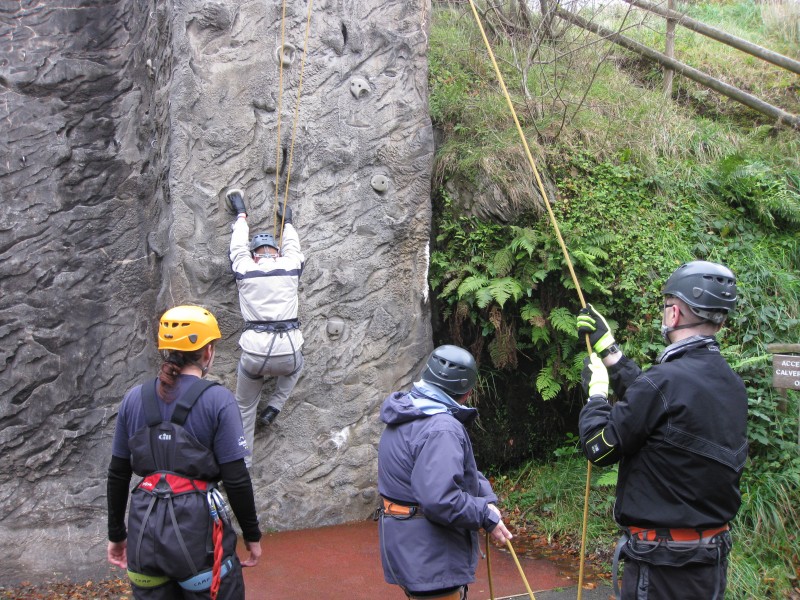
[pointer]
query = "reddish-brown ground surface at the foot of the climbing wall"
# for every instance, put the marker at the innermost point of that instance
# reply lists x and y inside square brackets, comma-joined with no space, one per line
[343,563]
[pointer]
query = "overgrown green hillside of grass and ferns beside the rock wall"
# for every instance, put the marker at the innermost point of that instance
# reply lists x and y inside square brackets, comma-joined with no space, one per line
[643,184]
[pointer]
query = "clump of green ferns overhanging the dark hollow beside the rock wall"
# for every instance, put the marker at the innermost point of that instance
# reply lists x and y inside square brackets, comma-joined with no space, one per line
[507,283]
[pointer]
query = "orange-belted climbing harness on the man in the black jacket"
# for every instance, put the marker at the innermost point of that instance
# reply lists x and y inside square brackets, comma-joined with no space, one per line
[672,547]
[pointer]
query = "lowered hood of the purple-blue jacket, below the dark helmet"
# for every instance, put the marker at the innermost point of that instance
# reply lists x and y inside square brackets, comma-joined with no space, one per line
[423,401]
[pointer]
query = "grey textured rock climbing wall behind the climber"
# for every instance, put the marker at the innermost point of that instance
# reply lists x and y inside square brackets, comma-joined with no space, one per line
[124,124]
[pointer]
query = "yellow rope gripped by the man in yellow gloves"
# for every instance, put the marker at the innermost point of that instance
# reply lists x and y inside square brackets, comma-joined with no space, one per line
[563,246]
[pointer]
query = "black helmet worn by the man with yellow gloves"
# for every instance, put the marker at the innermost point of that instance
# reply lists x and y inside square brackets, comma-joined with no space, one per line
[708,288]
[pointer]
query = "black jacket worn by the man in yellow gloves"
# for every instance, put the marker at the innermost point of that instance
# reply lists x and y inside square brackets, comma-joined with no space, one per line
[679,431]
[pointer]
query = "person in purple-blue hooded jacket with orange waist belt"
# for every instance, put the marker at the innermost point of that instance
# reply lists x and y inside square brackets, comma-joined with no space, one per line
[434,499]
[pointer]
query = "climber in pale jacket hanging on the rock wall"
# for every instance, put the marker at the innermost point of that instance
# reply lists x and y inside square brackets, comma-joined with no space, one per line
[268,276]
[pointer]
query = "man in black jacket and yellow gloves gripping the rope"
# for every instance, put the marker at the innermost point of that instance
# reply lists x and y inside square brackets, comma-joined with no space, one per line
[678,431]
